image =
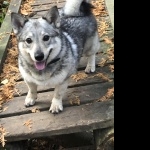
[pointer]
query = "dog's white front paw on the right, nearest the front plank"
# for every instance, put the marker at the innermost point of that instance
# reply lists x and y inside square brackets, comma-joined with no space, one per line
[56,106]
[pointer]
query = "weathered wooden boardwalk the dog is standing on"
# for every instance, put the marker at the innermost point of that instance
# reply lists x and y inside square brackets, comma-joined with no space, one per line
[82,111]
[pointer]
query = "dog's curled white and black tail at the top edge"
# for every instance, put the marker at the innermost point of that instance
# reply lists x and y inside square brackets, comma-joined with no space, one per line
[74,7]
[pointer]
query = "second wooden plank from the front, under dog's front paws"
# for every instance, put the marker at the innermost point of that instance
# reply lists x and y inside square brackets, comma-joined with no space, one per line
[85,94]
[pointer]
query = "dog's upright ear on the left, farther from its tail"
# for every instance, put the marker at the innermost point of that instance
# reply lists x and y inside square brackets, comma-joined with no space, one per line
[17,22]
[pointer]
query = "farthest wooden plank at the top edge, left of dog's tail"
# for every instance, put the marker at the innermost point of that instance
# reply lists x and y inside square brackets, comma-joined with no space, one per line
[39,2]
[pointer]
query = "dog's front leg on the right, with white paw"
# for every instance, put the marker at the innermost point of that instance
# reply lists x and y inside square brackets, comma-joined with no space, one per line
[59,92]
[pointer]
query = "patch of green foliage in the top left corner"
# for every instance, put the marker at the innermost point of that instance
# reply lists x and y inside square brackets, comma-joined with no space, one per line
[3,9]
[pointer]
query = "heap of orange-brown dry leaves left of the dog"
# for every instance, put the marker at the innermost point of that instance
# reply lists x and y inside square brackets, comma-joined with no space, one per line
[10,72]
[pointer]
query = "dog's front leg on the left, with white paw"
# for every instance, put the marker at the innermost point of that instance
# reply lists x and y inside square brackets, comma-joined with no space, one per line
[32,94]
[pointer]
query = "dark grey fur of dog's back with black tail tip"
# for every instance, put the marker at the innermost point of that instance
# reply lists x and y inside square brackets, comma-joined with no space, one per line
[83,23]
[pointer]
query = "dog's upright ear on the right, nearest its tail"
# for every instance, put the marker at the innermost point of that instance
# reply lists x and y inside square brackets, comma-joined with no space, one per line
[52,16]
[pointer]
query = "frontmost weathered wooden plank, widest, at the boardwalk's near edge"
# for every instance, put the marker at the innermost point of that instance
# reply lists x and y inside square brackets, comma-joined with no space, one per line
[73,119]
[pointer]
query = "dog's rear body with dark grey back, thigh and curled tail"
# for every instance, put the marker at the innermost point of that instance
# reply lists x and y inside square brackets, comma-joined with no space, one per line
[81,26]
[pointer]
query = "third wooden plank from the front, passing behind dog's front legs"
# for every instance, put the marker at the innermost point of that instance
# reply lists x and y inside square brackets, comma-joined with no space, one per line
[91,78]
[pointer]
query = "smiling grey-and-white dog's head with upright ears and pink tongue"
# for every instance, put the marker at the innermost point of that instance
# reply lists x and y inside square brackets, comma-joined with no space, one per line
[38,39]
